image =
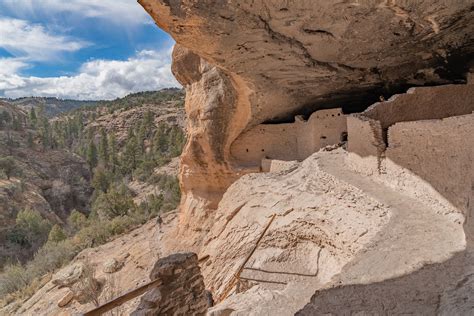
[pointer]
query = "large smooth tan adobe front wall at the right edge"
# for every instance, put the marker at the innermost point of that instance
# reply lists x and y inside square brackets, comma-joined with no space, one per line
[439,151]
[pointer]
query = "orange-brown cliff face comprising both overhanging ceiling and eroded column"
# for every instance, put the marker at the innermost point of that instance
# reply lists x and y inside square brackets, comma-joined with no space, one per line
[247,62]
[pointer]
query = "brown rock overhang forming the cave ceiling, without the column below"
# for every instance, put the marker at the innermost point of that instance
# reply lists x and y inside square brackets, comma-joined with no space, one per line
[317,54]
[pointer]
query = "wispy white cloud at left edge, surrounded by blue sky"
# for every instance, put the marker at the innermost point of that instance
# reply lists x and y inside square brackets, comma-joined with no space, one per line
[20,38]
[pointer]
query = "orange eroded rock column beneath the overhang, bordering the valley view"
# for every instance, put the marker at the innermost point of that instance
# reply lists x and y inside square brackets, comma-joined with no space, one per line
[217,113]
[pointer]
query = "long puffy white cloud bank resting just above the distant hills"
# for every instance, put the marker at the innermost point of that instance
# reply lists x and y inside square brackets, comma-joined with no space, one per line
[98,79]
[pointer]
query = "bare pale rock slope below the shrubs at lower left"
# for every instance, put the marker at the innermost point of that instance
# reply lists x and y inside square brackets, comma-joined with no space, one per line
[138,250]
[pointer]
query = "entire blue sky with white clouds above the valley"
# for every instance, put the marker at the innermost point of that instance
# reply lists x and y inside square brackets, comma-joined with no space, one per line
[81,49]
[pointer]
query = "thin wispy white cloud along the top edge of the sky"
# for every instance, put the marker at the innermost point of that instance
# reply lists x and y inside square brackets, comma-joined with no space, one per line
[115,11]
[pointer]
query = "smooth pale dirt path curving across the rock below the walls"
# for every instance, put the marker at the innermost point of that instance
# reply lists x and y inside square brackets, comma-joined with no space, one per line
[416,234]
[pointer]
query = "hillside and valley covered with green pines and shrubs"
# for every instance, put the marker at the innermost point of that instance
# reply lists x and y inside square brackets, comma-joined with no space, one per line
[77,179]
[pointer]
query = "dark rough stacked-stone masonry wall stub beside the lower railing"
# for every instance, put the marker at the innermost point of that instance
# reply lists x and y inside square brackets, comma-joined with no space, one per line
[182,289]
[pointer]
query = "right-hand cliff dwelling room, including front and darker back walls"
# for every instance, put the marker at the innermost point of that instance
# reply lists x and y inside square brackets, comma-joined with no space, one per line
[428,131]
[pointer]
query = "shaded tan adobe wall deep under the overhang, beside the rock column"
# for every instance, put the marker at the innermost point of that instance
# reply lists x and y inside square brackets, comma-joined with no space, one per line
[289,141]
